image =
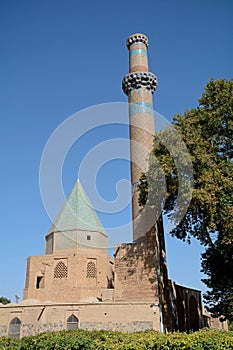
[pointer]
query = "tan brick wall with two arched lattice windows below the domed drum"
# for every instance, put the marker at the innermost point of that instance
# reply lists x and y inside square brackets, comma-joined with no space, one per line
[67,277]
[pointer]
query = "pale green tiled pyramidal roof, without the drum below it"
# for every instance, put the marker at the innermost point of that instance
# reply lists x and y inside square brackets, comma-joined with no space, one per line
[77,213]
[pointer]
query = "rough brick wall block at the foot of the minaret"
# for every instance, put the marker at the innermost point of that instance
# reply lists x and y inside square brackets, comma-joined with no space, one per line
[135,270]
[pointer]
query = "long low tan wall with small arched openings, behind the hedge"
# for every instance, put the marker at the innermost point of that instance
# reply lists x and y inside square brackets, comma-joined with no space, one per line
[126,317]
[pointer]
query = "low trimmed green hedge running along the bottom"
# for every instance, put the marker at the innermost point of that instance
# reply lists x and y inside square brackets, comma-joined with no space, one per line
[205,339]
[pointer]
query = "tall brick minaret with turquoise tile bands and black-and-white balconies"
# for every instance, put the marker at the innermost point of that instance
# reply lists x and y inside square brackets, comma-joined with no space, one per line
[139,85]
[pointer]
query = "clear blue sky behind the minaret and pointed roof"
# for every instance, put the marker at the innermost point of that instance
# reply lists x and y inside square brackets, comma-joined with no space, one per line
[58,57]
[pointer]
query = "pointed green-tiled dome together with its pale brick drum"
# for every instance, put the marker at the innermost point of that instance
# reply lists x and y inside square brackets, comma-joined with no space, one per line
[77,224]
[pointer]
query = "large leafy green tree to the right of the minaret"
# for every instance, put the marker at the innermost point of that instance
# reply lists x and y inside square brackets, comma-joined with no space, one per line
[206,211]
